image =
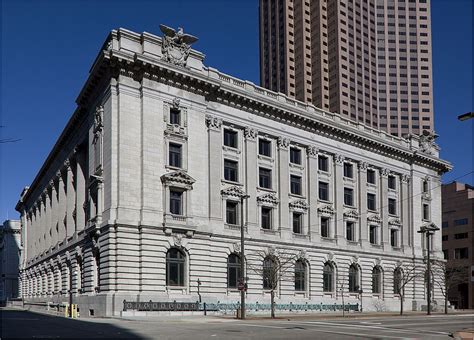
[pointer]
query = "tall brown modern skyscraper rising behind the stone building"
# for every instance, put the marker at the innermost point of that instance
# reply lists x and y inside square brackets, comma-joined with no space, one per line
[368,60]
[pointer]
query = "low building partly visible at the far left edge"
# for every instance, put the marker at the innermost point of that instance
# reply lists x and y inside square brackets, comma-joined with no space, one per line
[10,255]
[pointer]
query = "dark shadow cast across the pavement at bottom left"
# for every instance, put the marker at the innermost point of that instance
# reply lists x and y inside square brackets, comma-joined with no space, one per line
[25,324]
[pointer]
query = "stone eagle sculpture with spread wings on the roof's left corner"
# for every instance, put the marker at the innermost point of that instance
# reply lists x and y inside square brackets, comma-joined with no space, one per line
[176,45]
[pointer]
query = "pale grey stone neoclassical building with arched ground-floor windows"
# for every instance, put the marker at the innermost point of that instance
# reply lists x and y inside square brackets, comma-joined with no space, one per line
[140,197]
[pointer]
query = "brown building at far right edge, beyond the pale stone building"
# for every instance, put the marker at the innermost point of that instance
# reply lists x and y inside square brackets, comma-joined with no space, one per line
[458,238]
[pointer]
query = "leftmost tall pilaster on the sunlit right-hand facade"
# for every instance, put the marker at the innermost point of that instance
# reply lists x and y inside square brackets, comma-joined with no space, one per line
[214,125]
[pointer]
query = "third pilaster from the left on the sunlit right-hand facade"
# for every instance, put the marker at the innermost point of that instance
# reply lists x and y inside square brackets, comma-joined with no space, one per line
[284,187]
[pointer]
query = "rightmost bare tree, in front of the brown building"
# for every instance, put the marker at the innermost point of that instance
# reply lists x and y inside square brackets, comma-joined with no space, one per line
[447,276]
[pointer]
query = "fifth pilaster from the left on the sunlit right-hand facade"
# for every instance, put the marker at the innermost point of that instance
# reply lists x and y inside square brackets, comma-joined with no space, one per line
[339,198]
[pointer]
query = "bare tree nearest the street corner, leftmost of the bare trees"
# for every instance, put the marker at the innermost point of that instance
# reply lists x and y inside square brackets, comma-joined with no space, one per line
[273,266]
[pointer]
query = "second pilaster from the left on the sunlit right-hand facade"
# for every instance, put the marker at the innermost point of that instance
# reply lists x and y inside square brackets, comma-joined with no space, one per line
[250,135]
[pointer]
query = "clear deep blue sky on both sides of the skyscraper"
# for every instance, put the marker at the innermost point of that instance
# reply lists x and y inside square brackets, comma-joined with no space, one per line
[48,47]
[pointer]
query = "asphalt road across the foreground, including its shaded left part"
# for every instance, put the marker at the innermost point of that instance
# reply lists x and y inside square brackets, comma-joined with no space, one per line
[24,324]
